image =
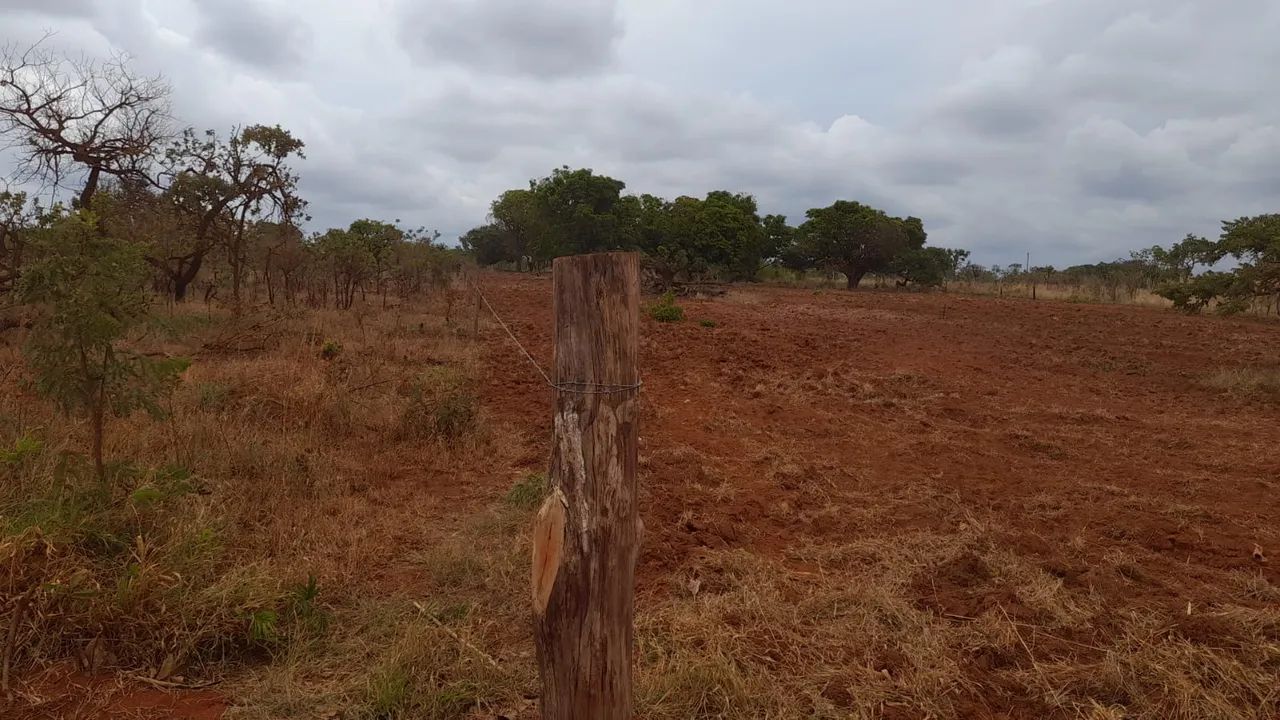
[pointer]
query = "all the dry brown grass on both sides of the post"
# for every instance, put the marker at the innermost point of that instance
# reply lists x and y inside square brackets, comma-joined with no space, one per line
[304,527]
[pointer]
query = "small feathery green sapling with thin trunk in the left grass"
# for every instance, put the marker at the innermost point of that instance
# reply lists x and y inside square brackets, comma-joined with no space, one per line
[89,289]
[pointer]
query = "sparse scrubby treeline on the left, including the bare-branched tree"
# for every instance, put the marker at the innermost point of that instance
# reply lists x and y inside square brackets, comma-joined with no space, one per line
[196,211]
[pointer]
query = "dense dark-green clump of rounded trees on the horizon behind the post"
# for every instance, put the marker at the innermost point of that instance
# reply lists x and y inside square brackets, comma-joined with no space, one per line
[720,236]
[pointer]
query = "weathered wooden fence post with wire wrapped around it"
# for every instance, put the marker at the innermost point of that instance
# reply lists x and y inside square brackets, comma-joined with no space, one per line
[587,536]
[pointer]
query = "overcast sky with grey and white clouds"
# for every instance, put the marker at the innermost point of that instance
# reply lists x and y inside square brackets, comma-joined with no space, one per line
[1075,130]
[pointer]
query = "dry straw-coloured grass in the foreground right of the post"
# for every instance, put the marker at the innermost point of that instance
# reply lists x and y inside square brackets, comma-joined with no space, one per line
[856,639]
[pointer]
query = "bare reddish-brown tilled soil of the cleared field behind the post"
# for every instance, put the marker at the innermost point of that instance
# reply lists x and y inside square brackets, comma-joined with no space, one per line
[1077,431]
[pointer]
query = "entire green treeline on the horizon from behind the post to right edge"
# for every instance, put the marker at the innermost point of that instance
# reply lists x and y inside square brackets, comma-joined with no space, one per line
[724,236]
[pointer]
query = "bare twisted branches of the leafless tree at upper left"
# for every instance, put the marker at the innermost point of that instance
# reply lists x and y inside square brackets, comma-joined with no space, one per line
[80,119]
